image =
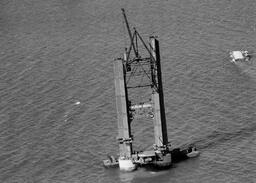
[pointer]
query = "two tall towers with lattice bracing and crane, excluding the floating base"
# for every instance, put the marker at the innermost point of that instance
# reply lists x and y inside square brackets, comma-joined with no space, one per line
[139,69]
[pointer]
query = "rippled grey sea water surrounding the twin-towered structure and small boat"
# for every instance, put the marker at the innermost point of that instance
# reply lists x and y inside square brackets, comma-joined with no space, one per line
[55,53]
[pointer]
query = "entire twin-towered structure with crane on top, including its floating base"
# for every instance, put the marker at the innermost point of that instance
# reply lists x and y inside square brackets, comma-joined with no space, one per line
[138,73]
